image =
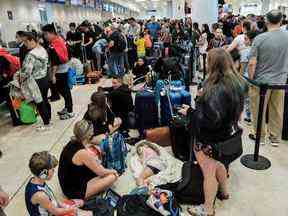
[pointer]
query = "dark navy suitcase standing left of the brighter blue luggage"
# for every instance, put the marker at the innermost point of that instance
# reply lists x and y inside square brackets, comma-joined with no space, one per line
[146,110]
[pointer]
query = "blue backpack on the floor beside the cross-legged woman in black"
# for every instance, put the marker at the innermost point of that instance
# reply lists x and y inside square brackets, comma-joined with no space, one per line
[115,156]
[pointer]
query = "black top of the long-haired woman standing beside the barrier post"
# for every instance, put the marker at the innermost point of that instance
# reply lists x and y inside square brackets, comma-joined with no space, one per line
[217,113]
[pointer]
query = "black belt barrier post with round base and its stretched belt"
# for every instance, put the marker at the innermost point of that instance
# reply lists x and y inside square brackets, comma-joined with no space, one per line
[256,161]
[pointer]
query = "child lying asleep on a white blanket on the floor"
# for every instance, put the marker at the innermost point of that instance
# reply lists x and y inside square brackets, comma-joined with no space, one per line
[151,164]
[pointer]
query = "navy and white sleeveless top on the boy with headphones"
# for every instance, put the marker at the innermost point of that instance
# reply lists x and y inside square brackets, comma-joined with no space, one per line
[37,210]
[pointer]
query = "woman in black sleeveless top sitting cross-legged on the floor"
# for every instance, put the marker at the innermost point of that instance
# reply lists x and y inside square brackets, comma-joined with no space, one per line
[80,175]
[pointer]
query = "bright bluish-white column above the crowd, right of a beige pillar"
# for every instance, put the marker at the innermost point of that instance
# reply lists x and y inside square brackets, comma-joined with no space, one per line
[205,11]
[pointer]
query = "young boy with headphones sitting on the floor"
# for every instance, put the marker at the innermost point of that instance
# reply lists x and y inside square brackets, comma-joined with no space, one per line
[39,197]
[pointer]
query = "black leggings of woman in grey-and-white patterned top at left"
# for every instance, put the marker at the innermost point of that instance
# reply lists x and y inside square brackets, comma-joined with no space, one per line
[44,108]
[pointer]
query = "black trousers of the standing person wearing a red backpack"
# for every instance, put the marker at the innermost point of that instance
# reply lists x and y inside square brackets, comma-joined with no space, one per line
[64,90]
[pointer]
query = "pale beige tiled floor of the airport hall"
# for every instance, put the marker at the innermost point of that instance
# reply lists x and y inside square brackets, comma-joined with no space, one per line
[253,193]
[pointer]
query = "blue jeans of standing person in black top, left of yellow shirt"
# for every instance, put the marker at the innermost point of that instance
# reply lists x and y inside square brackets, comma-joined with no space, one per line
[117,64]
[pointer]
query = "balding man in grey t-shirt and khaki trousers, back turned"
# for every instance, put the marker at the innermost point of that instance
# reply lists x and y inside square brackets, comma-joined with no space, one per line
[269,65]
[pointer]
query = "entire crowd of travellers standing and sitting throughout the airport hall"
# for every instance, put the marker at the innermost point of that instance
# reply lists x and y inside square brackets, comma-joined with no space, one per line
[235,47]
